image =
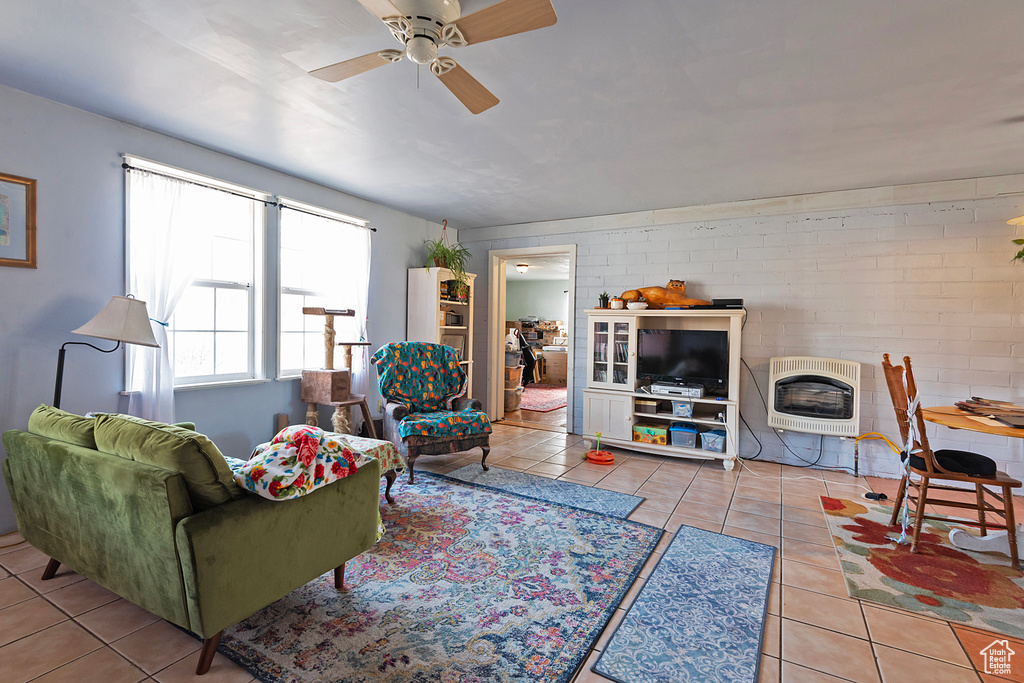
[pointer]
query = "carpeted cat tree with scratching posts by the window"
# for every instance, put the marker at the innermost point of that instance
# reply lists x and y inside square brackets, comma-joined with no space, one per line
[331,387]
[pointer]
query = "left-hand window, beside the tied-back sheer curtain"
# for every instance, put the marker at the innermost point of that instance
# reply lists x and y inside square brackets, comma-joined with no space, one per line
[210,268]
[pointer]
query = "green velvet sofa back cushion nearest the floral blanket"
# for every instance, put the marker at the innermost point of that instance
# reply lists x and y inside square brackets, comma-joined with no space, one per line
[207,476]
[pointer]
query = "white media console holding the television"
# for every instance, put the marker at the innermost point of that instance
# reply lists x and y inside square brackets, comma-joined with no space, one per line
[612,394]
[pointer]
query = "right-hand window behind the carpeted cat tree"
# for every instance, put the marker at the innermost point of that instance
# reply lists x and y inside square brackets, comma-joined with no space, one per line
[324,263]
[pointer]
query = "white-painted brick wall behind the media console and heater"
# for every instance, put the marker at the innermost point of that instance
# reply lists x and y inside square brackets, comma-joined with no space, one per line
[932,281]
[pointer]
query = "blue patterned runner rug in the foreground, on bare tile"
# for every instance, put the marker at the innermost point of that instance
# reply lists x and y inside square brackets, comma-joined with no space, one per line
[700,618]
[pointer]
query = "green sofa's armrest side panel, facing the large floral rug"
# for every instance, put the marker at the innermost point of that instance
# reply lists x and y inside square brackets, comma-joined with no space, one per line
[241,557]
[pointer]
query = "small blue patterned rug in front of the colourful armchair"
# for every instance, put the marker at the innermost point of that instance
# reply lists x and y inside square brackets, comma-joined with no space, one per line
[604,502]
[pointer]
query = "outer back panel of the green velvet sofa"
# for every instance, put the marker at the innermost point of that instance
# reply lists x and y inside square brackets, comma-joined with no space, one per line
[109,519]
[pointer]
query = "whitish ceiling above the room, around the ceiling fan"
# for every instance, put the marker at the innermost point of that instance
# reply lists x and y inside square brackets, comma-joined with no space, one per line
[622,106]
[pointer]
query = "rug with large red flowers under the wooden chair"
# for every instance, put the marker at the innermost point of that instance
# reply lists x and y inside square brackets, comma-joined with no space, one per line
[977,589]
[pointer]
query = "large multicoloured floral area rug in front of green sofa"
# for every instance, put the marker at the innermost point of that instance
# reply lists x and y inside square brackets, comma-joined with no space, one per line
[468,586]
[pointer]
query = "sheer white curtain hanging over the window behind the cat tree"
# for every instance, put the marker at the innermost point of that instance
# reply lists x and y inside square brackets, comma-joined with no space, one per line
[331,259]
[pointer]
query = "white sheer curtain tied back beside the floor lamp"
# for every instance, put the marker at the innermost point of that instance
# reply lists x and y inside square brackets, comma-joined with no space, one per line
[160,269]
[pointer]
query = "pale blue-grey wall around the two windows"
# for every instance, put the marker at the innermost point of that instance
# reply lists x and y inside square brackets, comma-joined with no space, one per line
[75,158]
